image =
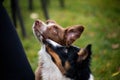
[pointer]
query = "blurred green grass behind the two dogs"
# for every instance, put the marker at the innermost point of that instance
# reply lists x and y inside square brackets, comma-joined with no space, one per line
[101,19]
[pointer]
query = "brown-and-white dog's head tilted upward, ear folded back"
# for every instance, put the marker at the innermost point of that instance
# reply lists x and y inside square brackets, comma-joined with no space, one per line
[51,30]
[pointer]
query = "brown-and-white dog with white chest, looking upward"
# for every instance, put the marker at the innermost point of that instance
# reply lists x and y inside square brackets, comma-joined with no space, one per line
[47,69]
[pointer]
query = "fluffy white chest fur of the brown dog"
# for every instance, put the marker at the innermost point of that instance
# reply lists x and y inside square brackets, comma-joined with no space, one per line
[49,71]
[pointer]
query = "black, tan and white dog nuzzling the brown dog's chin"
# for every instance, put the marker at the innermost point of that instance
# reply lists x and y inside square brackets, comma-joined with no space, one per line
[73,62]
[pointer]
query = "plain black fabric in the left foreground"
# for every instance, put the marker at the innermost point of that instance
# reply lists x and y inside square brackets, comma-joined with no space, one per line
[14,63]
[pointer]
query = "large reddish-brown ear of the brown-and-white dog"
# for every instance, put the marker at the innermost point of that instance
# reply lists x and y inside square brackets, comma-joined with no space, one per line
[73,33]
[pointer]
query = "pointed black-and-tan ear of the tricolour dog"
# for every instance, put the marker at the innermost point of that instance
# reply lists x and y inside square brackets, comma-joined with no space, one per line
[84,53]
